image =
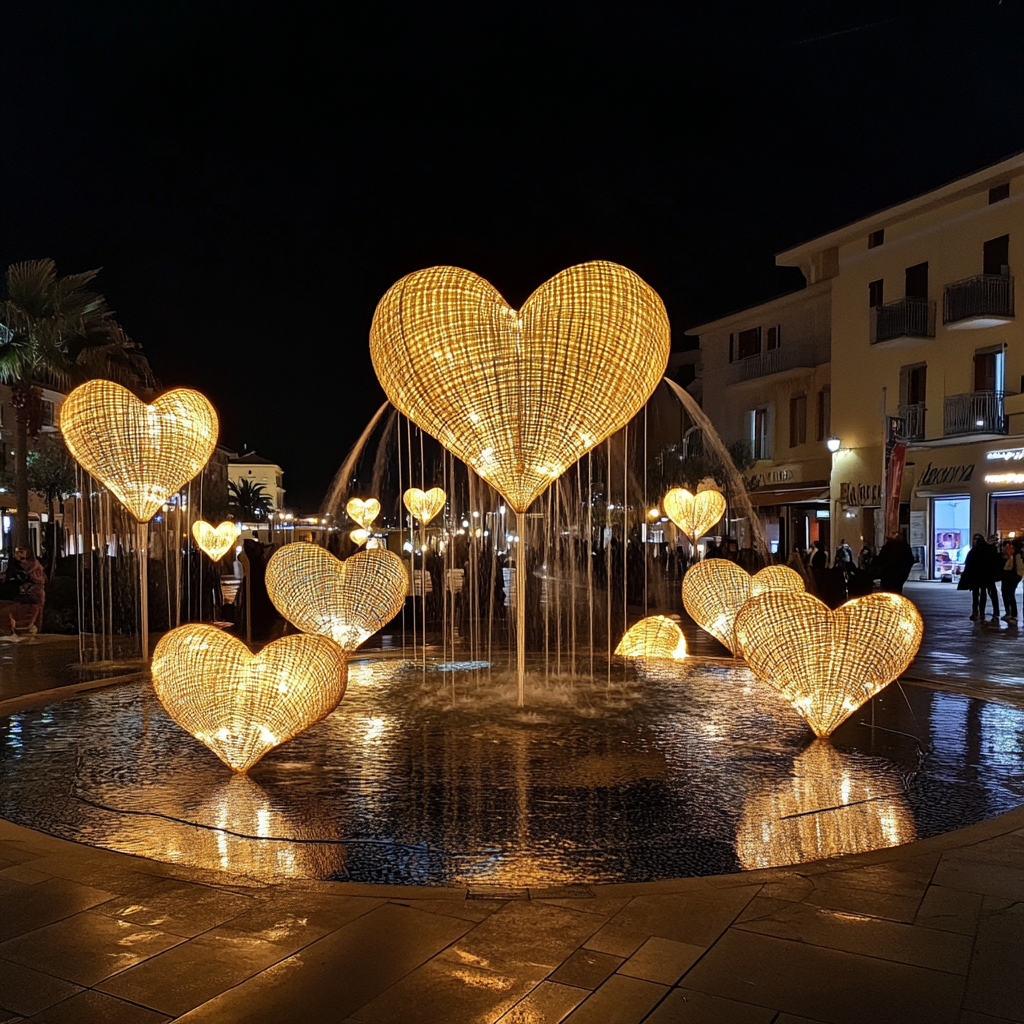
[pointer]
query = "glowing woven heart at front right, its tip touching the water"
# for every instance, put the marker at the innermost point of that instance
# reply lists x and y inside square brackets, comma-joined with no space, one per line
[828,664]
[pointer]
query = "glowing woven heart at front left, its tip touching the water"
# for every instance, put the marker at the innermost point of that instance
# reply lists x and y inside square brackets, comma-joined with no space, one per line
[243,705]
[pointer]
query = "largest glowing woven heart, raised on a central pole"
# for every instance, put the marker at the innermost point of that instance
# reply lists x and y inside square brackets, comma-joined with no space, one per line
[521,396]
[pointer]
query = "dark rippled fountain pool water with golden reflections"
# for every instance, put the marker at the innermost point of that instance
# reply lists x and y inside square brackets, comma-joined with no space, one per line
[435,777]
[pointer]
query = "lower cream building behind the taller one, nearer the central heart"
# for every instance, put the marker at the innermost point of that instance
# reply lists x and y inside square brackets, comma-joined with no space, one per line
[766,381]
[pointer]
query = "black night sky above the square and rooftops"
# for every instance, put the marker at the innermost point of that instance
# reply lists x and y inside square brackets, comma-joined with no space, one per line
[253,178]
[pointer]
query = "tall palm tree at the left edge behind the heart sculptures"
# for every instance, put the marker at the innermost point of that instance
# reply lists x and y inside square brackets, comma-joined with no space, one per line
[56,331]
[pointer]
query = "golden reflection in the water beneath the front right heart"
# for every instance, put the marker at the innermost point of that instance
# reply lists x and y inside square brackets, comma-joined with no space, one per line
[830,806]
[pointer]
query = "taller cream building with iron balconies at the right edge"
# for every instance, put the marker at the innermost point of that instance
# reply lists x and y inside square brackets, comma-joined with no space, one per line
[924,327]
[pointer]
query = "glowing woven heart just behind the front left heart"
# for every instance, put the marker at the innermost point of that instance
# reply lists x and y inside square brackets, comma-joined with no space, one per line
[348,602]
